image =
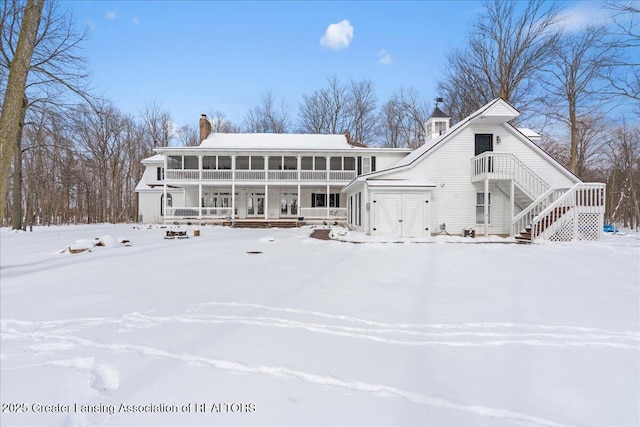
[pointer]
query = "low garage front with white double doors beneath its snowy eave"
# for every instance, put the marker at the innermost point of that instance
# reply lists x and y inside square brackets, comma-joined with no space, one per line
[398,209]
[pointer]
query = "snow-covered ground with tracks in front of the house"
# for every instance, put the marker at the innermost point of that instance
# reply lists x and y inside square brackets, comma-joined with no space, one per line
[202,331]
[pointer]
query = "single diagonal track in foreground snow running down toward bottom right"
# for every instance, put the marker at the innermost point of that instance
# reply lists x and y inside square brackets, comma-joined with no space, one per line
[304,376]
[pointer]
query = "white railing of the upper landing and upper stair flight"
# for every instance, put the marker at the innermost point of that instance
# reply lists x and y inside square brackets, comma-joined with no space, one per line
[499,166]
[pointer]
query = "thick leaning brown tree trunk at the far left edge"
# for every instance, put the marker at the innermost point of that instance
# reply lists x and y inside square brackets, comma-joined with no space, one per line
[10,118]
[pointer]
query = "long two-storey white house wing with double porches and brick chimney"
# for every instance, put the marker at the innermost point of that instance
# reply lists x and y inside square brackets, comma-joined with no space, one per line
[275,178]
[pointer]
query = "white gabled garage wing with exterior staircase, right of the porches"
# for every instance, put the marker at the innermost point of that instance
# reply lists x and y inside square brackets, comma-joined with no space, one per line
[482,176]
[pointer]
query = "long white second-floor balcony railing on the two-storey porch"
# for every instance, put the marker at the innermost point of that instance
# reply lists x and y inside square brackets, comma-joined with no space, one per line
[258,175]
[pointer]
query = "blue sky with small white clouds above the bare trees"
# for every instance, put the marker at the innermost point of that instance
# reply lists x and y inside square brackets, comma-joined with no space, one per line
[194,57]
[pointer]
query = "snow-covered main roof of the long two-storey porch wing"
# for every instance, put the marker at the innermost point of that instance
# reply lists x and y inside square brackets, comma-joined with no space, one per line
[278,141]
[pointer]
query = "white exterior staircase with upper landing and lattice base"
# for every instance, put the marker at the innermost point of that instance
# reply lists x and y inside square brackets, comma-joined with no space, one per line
[549,213]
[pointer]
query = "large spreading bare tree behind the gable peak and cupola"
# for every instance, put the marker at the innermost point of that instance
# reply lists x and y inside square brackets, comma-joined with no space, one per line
[506,52]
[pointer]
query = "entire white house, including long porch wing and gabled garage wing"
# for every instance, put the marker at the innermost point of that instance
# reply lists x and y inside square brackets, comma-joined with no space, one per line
[481,176]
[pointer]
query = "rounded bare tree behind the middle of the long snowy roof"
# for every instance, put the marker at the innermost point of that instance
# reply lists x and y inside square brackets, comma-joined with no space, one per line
[267,116]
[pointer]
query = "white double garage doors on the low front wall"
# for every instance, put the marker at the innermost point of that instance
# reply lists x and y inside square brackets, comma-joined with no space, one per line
[401,214]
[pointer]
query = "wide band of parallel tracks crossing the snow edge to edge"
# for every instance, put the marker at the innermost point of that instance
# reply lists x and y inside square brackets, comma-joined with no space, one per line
[480,335]
